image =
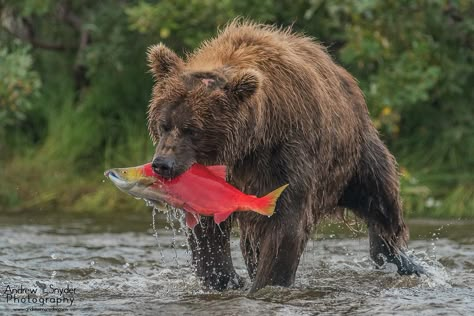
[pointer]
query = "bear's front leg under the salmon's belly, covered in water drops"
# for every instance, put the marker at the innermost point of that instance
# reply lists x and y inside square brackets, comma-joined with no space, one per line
[211,257]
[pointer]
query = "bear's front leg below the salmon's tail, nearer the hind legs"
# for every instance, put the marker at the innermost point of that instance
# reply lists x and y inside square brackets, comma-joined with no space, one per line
[281,244]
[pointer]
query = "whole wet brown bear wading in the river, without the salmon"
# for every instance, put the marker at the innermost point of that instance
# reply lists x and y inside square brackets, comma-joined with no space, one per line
[274,108]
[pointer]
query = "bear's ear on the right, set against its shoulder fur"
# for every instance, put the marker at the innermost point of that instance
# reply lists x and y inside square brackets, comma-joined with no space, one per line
[243,85]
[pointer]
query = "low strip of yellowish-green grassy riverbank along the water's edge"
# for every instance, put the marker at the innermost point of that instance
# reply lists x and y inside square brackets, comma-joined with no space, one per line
[93,194]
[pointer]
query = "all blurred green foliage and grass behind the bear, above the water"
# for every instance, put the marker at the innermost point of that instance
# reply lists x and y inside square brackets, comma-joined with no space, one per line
[74,89]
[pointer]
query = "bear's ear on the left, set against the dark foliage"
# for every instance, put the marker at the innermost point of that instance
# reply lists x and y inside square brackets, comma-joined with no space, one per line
[162,61]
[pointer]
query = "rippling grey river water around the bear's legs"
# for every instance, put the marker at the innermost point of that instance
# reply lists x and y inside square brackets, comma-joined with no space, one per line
[121,265]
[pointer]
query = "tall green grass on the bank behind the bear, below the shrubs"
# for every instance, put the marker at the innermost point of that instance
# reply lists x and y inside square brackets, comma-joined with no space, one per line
[60,166]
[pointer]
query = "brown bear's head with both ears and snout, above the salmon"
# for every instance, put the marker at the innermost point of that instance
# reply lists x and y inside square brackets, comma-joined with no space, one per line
[195,115]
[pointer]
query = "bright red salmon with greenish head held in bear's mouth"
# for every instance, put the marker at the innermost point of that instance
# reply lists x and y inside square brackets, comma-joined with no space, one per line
[200,190]
